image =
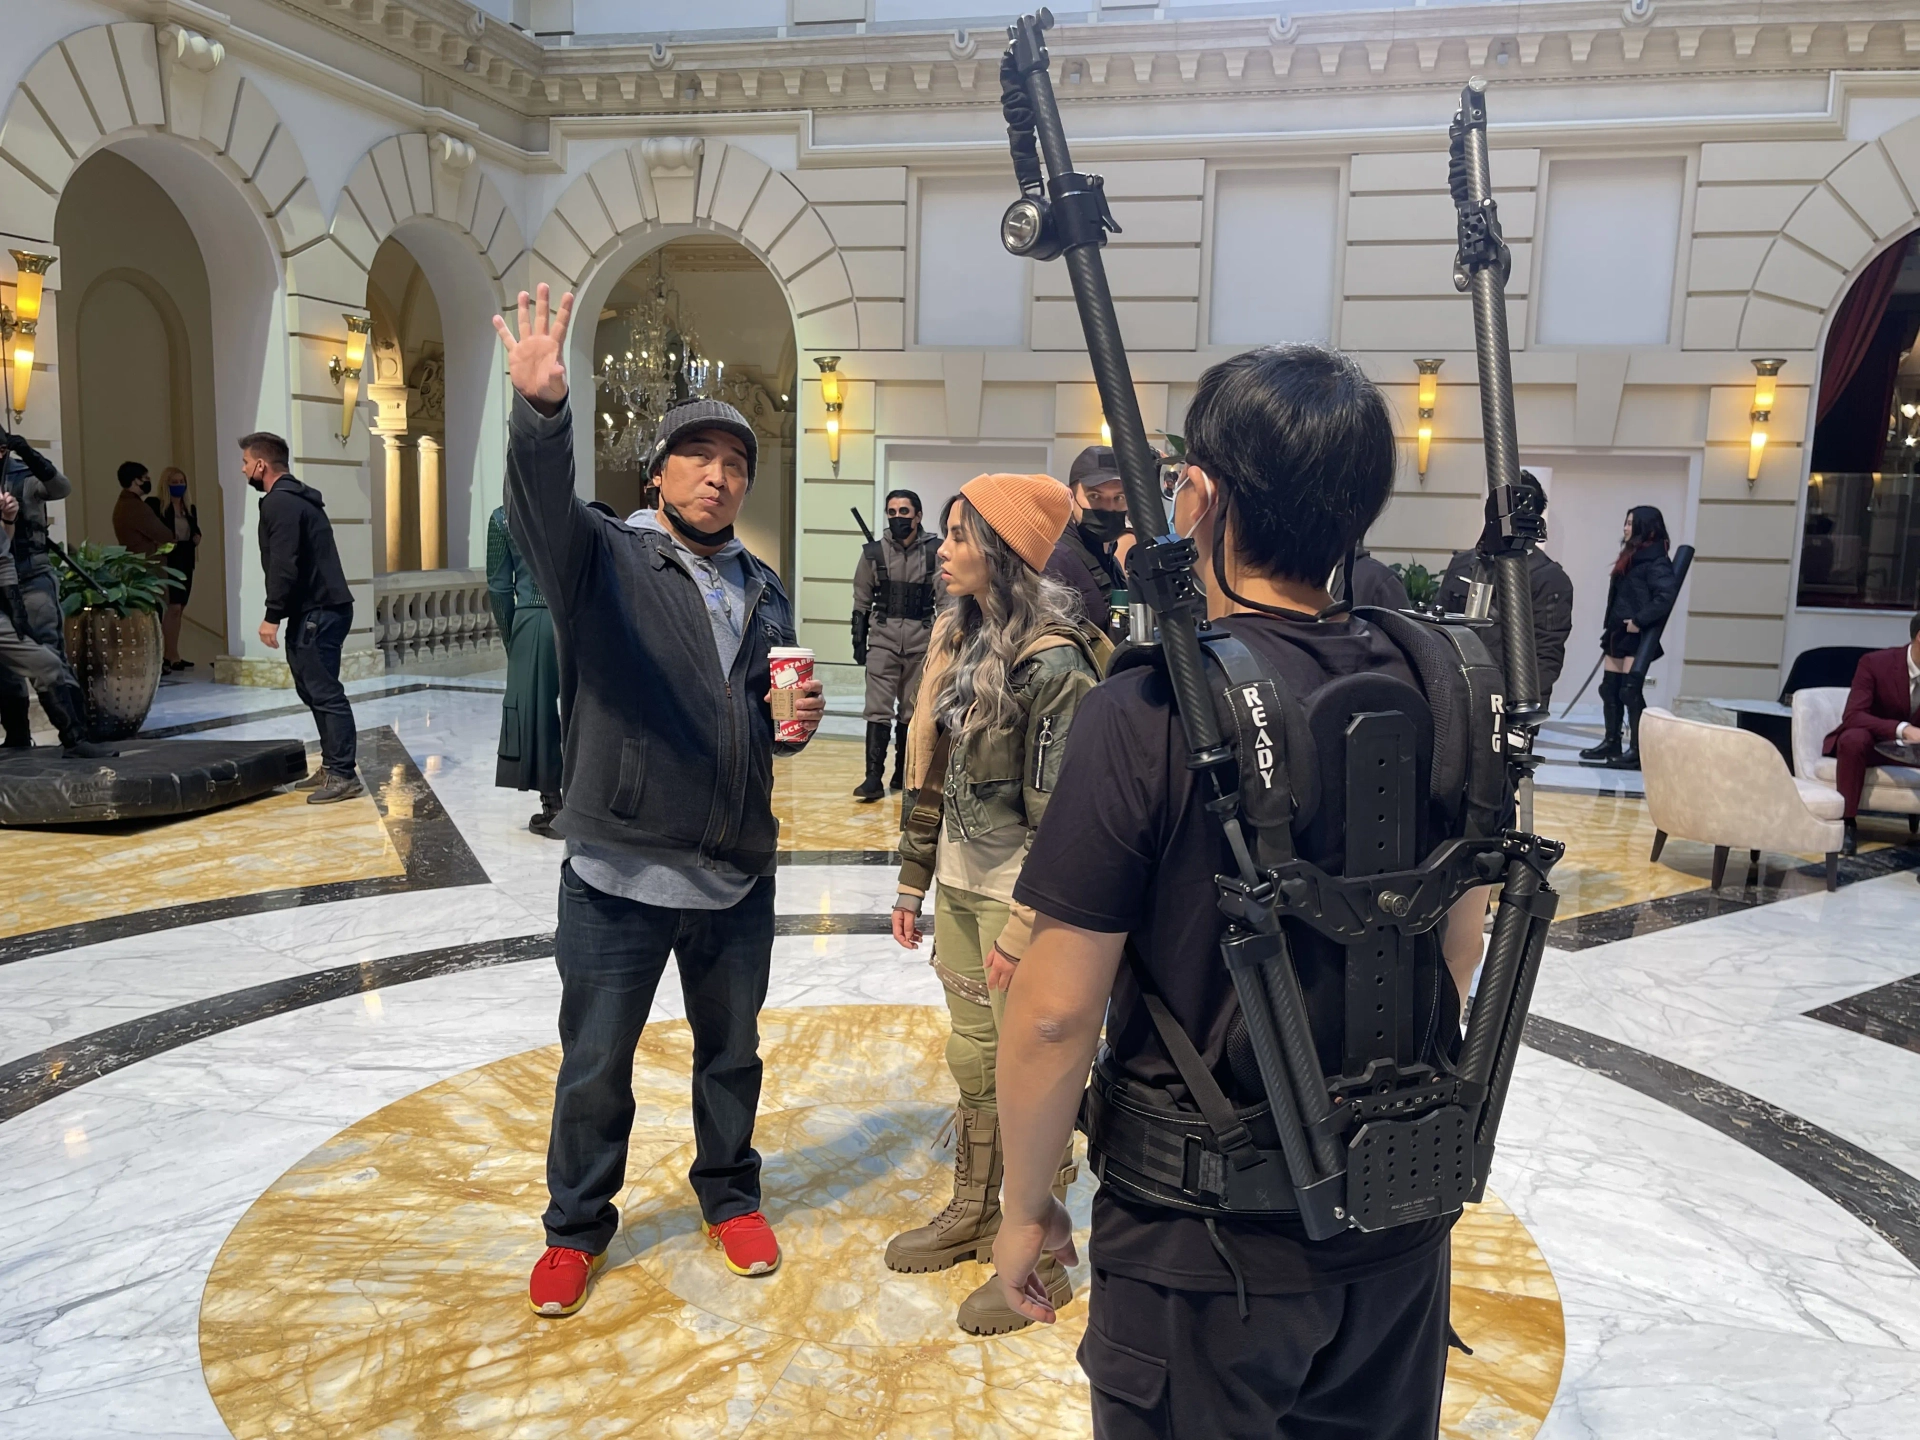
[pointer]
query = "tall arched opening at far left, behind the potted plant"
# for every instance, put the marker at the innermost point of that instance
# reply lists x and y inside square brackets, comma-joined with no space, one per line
[137,331]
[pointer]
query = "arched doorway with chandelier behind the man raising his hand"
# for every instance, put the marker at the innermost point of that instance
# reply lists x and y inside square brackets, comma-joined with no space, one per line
[700,316]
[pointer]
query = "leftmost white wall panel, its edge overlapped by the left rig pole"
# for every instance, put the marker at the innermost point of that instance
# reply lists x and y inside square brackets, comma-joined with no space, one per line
[971,293]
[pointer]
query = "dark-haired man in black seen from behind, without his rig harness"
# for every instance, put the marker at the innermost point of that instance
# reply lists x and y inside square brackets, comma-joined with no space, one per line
[1220,1326]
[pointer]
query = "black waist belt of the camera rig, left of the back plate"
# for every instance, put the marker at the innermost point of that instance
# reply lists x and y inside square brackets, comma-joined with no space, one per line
[1164,1157]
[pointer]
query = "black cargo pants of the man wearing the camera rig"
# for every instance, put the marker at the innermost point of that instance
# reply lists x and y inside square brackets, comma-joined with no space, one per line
[1353,1362]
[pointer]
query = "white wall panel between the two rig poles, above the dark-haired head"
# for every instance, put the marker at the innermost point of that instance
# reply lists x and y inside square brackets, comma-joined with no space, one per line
[1274,256]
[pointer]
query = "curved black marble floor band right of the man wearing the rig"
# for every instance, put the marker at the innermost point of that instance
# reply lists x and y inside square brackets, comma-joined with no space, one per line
[1879,1195]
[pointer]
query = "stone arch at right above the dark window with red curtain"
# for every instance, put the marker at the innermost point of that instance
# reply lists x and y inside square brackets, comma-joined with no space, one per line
[1867,201]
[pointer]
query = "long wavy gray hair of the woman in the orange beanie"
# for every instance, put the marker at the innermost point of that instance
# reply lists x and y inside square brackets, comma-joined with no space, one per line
[990,633]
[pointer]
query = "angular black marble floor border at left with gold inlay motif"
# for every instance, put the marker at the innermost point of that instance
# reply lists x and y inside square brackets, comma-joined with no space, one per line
[421,830]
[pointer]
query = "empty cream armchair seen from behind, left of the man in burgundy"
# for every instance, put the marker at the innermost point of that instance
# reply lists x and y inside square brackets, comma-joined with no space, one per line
[1729,788]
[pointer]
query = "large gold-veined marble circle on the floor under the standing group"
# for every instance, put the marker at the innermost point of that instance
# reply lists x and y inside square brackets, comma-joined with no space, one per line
[377,1289]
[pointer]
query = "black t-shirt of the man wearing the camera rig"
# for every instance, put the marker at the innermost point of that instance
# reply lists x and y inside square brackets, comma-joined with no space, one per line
[1126,846]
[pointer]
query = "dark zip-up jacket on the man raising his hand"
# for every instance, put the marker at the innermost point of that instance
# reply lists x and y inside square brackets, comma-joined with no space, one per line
[663,754]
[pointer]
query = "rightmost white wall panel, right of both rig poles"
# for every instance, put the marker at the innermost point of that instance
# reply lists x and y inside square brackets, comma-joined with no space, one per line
[1608,262]
